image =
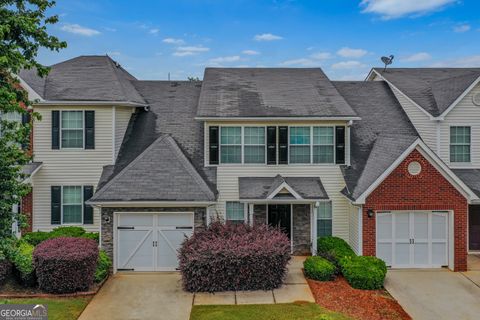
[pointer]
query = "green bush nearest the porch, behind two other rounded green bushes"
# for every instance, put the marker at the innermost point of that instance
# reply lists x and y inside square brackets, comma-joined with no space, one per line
[334,249]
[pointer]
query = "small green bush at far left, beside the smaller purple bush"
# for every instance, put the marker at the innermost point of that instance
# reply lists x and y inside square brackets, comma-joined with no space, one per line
[22,260]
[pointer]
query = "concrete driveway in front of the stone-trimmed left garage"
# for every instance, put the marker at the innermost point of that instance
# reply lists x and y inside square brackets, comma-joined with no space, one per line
[141,296]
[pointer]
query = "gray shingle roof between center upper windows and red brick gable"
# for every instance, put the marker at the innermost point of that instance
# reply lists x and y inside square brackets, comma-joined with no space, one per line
[382,135]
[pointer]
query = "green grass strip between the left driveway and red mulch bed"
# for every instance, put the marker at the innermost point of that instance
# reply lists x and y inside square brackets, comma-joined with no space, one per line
[286,311]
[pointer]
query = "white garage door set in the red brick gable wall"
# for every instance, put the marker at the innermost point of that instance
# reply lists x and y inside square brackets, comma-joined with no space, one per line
[413,239]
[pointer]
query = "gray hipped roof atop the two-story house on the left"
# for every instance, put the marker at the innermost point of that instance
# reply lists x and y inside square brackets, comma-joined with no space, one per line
[84,78]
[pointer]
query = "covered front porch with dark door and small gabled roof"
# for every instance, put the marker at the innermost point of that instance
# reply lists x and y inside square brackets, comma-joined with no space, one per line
[291,204]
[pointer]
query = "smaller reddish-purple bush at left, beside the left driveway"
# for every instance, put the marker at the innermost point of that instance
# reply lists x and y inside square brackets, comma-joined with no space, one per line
[65,265]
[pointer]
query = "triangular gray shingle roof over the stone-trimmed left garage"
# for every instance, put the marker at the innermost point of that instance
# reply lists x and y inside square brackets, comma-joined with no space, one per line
[160,173]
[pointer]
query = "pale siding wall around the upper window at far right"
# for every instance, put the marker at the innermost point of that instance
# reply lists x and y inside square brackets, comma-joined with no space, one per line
[465,113]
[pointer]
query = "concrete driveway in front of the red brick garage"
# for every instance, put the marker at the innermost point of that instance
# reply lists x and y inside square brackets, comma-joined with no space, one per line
[436,294]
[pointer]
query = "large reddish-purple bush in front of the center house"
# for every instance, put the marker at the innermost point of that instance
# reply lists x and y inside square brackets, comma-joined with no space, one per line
[227,257]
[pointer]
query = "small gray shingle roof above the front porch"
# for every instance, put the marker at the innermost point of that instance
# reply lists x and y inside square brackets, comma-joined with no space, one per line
[262,187]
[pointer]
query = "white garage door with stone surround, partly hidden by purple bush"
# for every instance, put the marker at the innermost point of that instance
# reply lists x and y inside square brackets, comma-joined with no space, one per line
[149,241]
